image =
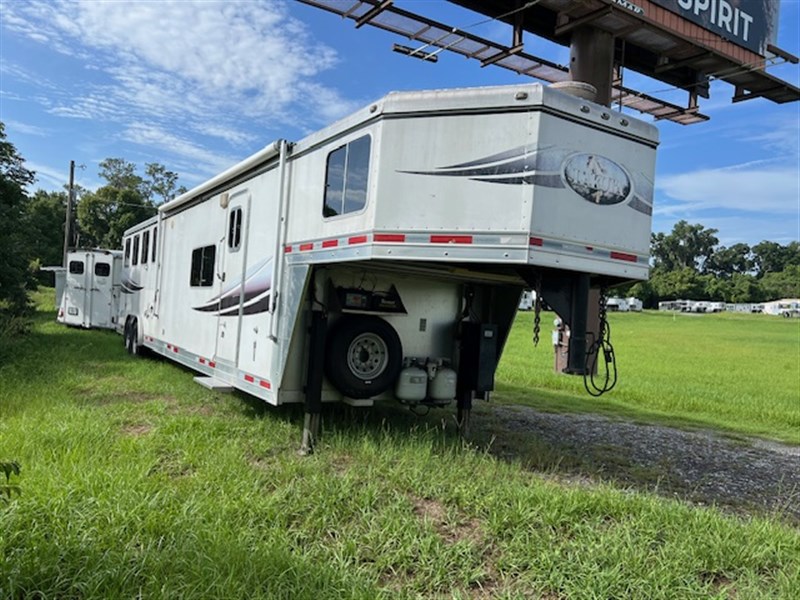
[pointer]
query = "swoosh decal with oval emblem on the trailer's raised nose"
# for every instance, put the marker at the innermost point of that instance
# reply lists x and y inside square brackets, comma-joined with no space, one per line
[595,178]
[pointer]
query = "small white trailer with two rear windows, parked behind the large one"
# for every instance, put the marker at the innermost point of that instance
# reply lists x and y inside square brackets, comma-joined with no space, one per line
[91,291]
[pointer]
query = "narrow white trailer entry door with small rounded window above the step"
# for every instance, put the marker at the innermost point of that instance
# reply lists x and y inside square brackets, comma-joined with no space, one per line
[231,275]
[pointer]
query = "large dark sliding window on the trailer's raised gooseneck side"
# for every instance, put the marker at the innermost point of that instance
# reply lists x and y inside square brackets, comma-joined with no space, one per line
[346,178]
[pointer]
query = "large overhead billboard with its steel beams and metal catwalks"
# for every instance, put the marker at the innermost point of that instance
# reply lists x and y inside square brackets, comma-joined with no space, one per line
[683,43]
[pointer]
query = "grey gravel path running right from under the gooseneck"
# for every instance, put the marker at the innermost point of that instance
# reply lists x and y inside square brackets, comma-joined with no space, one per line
[700,466]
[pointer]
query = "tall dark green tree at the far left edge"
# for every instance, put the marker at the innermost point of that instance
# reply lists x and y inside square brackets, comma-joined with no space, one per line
[15,275]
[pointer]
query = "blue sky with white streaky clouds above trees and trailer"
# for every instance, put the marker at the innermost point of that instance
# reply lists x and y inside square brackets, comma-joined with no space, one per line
[199,86]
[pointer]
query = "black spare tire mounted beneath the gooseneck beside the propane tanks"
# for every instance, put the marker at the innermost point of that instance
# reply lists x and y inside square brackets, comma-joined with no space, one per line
[363,356]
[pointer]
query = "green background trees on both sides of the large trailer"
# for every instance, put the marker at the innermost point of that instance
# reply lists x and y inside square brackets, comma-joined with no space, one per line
[687,263]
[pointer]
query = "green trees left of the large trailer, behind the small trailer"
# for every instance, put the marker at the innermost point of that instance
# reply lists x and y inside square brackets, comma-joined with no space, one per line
[32,226]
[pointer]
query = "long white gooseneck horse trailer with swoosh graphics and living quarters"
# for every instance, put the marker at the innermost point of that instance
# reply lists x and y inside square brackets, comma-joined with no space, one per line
[384,256]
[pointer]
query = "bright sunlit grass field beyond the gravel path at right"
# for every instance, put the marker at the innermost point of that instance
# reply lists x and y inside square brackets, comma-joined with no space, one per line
[735,372]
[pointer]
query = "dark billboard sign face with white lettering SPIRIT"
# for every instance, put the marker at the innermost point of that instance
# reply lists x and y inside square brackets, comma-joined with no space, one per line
[751,24]
